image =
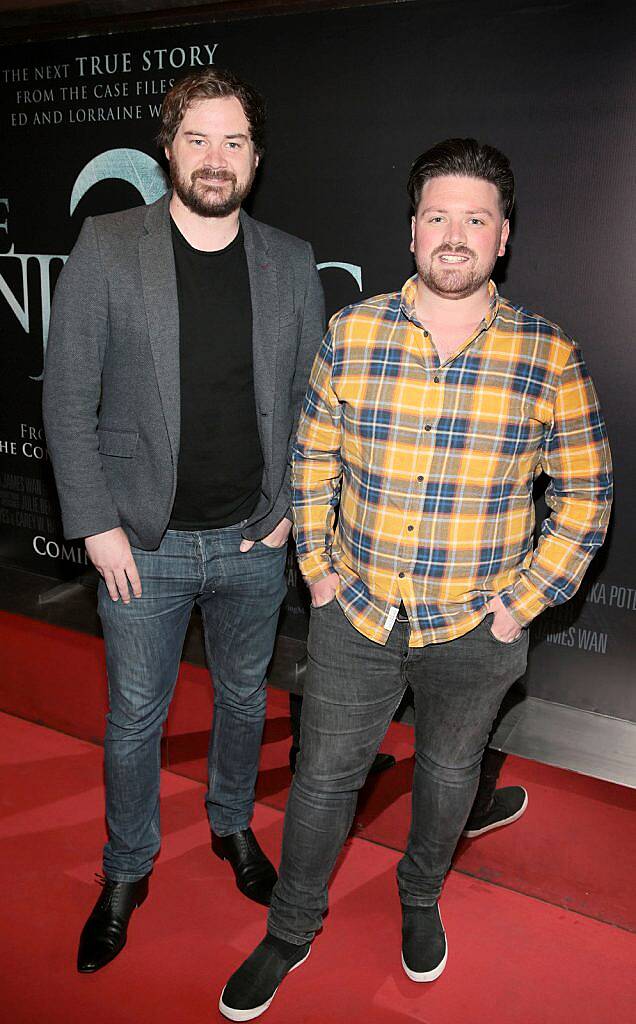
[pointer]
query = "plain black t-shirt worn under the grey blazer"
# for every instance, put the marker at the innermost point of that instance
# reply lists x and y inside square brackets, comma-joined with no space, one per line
[221,461]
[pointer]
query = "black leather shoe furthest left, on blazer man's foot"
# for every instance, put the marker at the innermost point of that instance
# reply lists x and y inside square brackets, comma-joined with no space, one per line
[104,935]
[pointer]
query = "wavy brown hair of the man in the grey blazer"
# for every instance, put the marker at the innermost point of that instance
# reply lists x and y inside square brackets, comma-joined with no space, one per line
[211,83]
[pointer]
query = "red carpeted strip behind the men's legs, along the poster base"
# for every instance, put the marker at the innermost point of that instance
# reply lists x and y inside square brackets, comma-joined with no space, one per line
[572,848]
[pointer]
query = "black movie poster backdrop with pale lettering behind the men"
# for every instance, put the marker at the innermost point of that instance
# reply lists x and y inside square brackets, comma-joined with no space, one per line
[354,97]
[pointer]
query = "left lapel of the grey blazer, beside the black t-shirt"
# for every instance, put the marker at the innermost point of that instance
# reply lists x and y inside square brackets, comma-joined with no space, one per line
[162,310]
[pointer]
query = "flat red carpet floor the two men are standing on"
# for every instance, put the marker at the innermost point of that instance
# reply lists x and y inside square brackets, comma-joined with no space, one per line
[513,960]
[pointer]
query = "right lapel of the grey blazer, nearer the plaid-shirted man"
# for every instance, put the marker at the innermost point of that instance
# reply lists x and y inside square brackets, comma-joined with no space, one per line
[265,292]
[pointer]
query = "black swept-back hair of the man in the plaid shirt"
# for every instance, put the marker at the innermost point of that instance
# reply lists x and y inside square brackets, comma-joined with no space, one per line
[467,158]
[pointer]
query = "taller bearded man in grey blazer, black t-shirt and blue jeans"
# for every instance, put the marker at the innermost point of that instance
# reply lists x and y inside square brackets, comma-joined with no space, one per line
[182,339]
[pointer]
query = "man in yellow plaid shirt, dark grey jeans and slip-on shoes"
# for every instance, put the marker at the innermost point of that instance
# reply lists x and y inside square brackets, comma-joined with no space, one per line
[429,416]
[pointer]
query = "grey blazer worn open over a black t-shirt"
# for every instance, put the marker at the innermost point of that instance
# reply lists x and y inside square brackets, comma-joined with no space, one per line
[112,390]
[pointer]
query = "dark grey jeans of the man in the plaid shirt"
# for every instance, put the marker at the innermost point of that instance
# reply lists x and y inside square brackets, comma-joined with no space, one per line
[352,692]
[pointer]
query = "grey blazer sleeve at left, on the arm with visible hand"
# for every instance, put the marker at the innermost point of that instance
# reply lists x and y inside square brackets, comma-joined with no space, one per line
[78,337]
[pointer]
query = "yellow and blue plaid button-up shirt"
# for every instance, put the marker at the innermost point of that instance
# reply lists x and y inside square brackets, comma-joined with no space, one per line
[432,468]
